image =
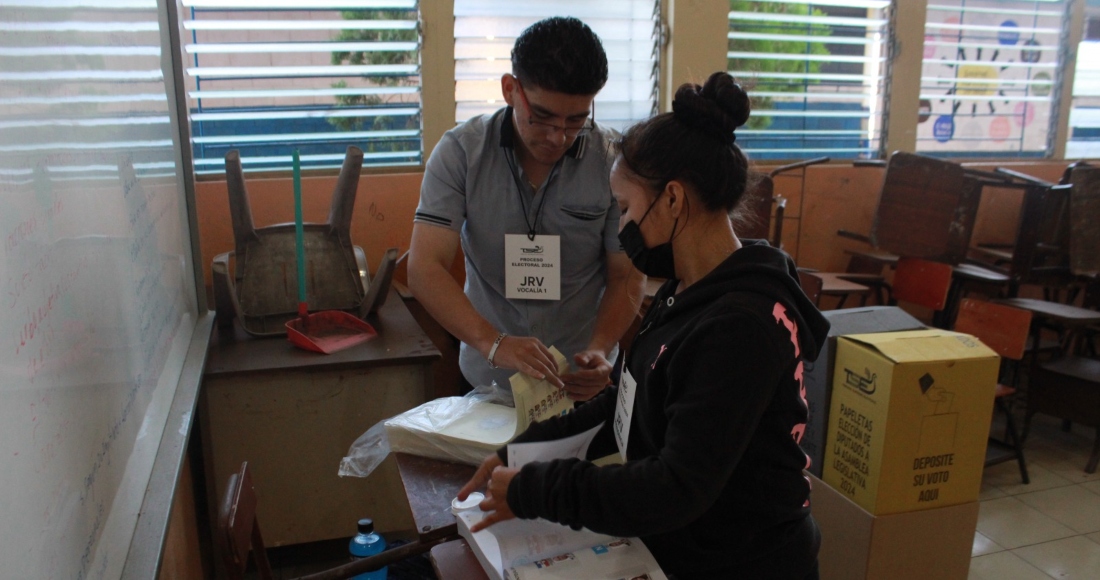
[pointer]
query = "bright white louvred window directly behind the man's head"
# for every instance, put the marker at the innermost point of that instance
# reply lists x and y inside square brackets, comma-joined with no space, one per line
[630,30]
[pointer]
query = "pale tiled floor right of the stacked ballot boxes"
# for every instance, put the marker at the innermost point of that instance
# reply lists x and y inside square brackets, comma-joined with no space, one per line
[1050,529]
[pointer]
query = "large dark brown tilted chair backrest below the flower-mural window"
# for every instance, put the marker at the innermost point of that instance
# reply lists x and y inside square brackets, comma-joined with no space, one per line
[927,209]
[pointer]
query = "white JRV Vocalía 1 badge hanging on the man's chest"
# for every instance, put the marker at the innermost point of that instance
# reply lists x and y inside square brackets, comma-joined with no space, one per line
[533,268]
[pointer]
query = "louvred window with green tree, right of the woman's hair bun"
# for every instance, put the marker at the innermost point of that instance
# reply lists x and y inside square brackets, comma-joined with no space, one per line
[817,74]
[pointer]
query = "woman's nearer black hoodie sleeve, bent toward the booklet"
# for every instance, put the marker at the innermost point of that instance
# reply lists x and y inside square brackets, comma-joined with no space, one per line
[722,379]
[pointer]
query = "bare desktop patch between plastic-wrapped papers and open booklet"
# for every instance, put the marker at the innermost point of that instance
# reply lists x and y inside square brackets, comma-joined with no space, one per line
[431,485]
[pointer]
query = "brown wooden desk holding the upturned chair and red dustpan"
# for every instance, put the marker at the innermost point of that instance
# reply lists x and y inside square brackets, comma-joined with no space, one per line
[294,414]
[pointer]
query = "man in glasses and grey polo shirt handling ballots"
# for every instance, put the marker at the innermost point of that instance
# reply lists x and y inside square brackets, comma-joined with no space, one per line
[526,193]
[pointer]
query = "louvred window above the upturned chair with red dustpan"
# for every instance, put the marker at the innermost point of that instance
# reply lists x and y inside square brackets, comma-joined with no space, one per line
[267,78]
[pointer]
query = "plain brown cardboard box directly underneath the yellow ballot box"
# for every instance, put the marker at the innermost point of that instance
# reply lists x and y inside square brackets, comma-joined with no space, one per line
[915,545]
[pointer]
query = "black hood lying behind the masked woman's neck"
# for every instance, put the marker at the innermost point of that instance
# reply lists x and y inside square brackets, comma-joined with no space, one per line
[760,269]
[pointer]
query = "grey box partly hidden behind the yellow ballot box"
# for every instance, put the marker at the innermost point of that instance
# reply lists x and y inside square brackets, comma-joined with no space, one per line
[818,376]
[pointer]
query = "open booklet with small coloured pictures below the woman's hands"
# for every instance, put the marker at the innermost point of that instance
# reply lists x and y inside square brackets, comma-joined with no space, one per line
[538,550]
